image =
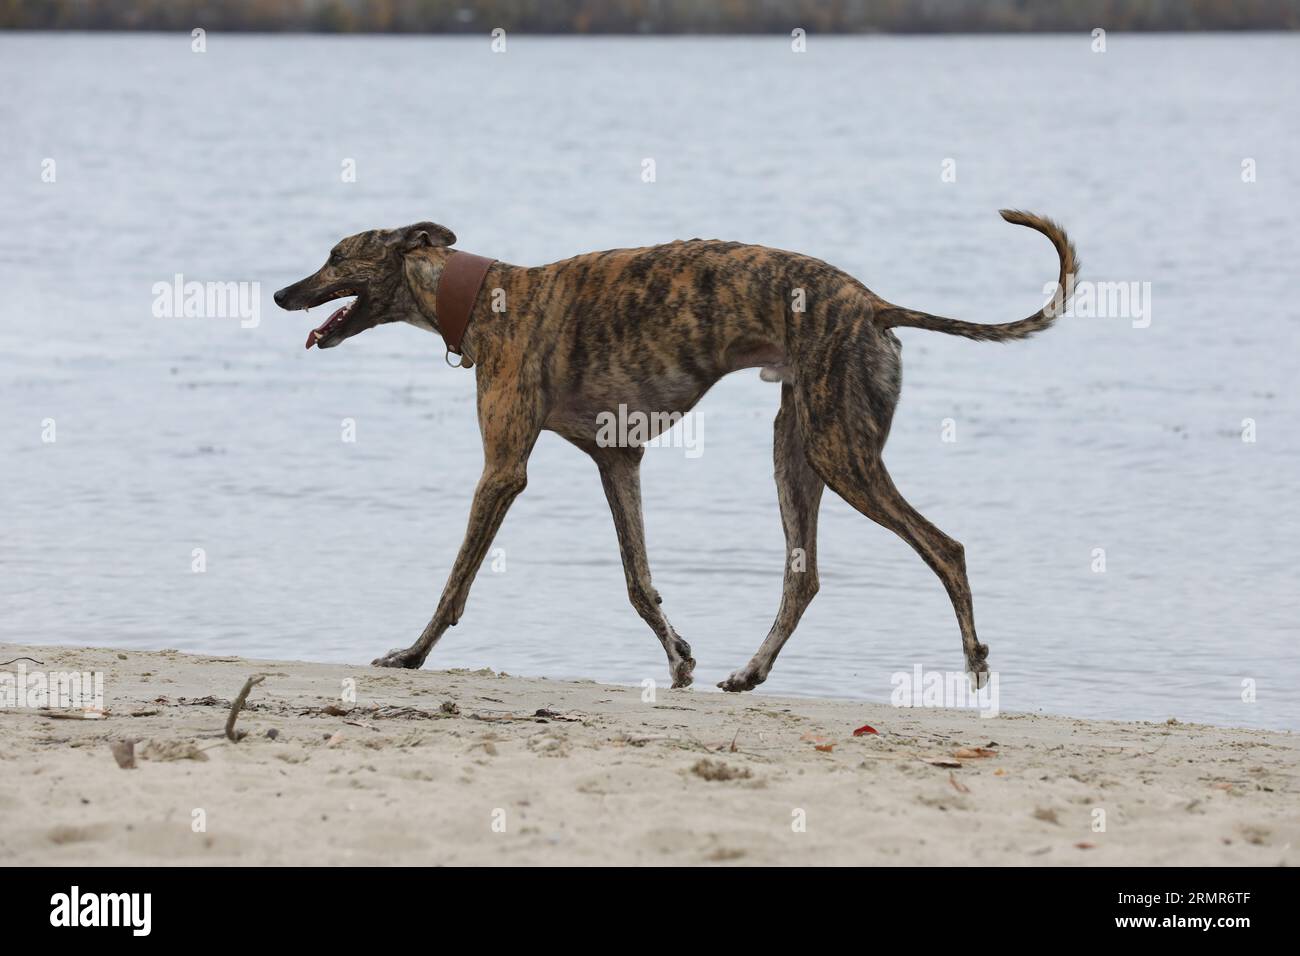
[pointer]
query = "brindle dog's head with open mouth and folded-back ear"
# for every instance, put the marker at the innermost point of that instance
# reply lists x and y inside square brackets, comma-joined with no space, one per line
[371,270]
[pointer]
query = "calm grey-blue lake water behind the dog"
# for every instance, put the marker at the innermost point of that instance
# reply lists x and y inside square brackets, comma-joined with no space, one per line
[175,435]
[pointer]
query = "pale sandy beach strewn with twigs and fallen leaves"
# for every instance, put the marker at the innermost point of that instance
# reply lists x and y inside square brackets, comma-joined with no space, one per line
[357,765]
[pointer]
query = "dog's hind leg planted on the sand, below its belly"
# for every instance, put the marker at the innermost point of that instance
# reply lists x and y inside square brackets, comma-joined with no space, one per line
[799,488]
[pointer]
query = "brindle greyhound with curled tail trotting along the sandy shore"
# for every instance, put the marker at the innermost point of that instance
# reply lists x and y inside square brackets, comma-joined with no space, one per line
[653,330]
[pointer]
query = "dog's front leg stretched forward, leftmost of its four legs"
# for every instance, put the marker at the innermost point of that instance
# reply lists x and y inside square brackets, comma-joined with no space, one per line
[499,487]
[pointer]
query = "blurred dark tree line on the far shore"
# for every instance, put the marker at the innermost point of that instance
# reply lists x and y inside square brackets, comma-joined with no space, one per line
[651,16]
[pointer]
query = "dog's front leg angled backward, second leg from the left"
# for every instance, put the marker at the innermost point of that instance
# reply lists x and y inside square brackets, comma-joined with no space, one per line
[621,474]
